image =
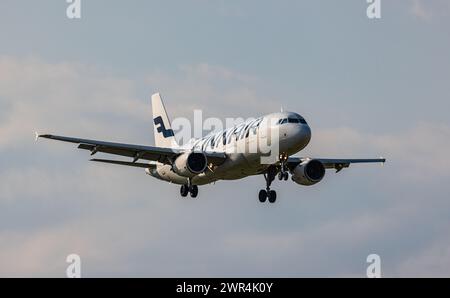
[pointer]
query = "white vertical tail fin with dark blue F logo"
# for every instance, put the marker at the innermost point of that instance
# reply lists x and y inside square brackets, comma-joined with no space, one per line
[164,136]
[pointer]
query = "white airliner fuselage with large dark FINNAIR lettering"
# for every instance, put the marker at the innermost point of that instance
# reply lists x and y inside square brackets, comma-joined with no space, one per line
[250,136]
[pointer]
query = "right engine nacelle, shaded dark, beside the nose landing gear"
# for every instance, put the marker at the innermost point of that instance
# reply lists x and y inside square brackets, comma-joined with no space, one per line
[308,172]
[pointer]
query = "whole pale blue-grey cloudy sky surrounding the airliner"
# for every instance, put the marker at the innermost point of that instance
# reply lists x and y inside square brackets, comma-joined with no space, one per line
[367,88]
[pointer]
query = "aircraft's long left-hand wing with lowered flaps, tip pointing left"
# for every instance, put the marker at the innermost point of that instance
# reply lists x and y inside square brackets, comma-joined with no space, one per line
[136,152]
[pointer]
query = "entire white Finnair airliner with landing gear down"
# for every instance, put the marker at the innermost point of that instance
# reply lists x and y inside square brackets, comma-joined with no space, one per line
[209,159]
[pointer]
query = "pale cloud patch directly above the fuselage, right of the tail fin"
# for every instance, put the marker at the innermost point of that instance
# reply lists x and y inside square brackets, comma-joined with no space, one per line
[197,86]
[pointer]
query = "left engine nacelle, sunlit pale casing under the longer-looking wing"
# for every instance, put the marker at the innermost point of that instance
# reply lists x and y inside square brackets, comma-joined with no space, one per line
[190,164]
